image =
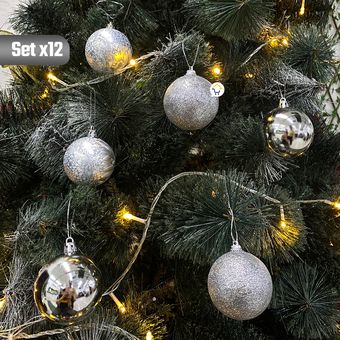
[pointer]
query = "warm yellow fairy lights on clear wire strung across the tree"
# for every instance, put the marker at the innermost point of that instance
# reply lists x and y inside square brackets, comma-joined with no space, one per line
[124,215]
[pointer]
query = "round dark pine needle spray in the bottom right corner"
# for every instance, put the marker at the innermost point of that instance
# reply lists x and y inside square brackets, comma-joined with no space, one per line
[306,302]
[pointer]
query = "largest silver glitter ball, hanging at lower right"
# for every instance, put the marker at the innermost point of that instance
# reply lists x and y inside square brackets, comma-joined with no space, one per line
[240,285]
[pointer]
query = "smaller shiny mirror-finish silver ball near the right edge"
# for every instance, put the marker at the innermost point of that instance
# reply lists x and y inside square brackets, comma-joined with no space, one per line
[288,131]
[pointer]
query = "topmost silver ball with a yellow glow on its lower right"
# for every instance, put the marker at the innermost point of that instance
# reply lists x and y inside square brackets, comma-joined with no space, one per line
[108,50]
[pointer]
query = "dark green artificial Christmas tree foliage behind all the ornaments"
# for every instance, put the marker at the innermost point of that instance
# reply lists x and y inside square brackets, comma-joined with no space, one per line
[166,292]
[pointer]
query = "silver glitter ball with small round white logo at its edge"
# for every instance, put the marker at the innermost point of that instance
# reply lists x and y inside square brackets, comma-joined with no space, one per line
[188,103]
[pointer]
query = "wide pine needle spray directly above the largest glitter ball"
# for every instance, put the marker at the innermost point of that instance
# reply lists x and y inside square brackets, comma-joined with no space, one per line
[198,225]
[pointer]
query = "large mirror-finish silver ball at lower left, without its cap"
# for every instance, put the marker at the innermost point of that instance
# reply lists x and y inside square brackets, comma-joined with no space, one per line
[67,289]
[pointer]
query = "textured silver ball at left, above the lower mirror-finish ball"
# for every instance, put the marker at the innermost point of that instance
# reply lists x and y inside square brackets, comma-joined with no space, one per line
[89,160]
